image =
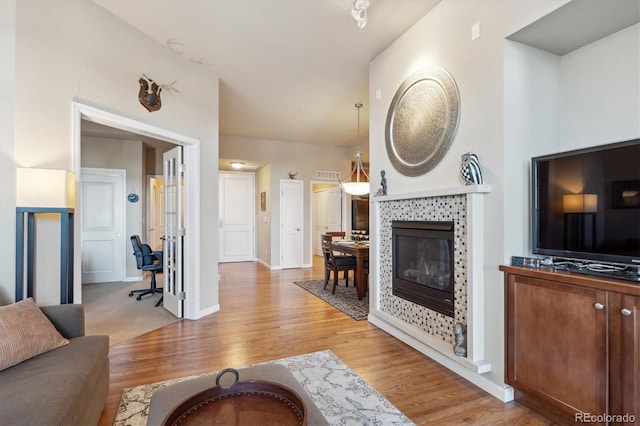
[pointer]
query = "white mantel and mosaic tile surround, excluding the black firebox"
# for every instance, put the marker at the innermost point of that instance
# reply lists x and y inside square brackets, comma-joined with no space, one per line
[427,330]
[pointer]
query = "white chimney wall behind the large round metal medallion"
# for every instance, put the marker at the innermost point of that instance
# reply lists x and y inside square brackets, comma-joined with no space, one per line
[443,38]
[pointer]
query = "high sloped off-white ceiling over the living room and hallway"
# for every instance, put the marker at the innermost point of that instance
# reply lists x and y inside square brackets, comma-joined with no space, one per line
[290,70]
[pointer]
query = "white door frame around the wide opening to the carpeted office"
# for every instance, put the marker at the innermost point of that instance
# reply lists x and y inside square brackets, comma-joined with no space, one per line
[191,157]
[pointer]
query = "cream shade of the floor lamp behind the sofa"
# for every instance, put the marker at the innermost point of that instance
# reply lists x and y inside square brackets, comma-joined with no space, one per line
[45,188]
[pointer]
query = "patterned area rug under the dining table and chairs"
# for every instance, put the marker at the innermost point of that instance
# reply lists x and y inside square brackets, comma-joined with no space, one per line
[345,299]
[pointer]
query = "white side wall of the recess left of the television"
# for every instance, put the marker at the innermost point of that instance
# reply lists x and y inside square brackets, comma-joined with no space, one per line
[532,90]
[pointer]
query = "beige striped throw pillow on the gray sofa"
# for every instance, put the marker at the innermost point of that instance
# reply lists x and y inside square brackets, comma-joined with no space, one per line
[25,331]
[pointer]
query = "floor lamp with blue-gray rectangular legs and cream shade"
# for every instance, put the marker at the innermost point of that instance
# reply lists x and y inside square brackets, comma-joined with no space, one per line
[43,191]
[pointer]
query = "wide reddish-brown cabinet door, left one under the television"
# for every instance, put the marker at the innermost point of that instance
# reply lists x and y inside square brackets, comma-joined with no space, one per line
[556,346]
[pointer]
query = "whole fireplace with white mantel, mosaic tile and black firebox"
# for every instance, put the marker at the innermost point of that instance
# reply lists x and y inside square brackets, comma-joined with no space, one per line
[456,277]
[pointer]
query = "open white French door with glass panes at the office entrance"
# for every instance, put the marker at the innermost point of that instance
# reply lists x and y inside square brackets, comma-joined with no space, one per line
[174,232]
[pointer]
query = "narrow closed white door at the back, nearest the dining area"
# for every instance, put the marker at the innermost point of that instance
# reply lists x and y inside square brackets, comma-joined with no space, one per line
[291,224]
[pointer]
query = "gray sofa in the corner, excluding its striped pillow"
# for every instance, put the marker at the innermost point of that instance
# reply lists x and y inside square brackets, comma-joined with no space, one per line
[65,386]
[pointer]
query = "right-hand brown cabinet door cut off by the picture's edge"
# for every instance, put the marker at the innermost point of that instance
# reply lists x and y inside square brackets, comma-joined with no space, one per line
[624,364]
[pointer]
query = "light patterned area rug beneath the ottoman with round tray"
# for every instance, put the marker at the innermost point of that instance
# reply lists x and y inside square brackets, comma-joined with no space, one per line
[339,393]
